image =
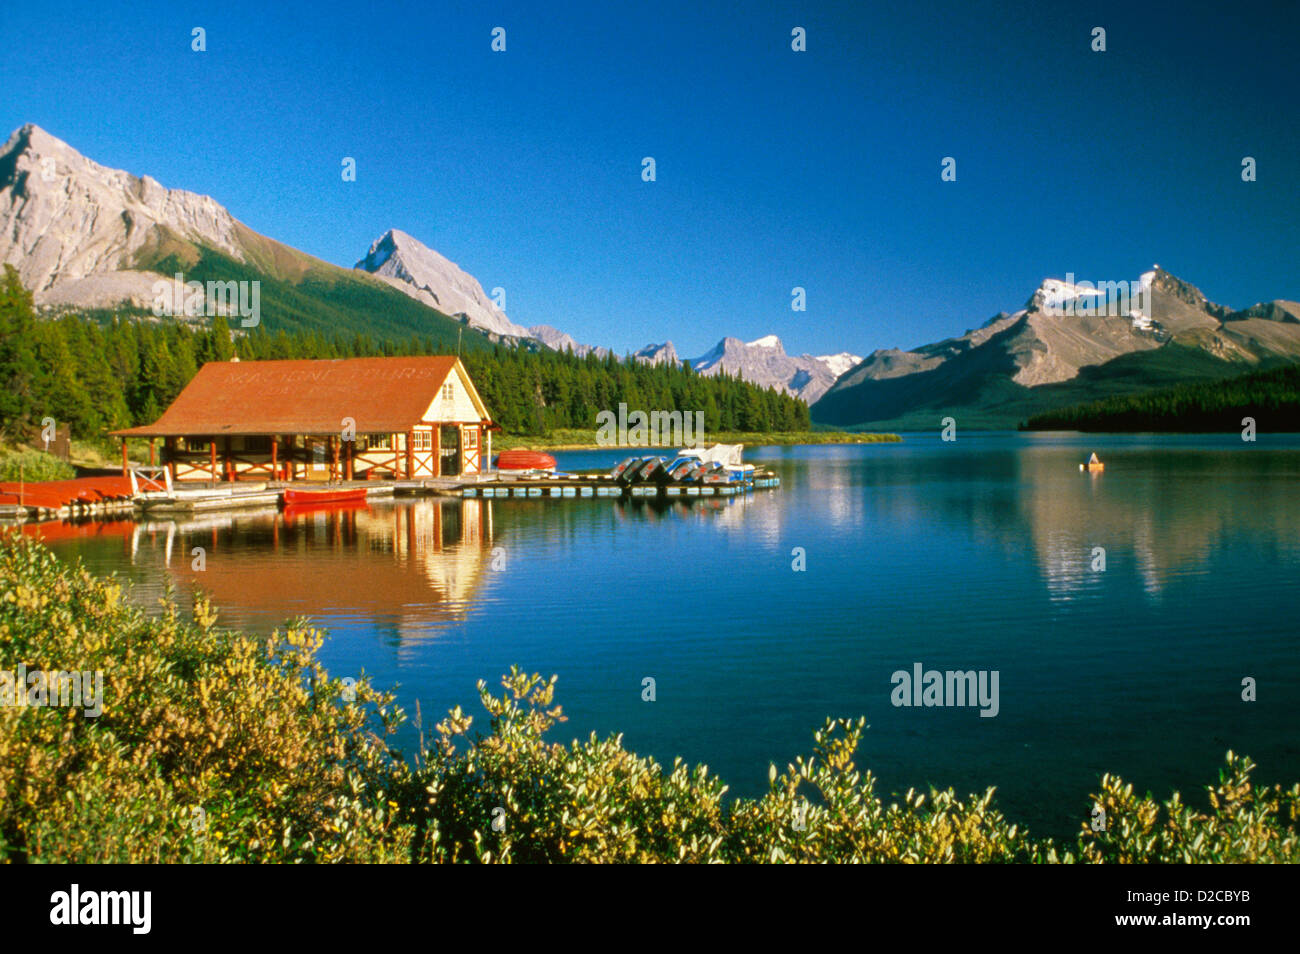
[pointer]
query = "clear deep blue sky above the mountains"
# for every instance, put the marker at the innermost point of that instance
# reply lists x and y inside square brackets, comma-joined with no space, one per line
[775,170]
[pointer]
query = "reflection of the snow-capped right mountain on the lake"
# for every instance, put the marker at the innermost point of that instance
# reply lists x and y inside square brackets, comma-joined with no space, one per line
[1156,515]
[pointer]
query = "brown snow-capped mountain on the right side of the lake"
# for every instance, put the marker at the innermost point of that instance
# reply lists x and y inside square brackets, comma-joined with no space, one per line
[1056,352]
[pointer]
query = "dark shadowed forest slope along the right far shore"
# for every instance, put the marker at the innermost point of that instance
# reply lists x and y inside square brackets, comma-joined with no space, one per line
[1271,397]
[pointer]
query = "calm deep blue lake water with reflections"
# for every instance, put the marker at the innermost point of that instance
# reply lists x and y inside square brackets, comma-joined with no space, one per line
[967,556]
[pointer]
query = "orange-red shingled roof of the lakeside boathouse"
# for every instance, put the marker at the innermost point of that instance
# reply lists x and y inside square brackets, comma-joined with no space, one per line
[314,397]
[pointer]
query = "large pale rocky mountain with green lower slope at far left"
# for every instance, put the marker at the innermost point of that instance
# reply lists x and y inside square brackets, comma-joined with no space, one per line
[88,237]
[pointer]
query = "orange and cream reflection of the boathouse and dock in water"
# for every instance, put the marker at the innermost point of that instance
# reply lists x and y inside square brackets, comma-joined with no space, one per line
[410,567]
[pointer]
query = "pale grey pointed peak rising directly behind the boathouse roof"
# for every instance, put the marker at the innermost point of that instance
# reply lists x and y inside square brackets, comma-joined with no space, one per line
[415,270]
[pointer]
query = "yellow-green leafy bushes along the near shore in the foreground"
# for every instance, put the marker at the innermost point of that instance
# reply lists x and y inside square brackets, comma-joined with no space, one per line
[219,747]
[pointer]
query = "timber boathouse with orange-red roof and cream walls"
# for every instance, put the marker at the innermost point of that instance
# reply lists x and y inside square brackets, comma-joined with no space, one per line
[324,420]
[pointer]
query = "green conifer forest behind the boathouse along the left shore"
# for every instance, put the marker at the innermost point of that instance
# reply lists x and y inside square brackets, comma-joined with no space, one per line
[98,375]
